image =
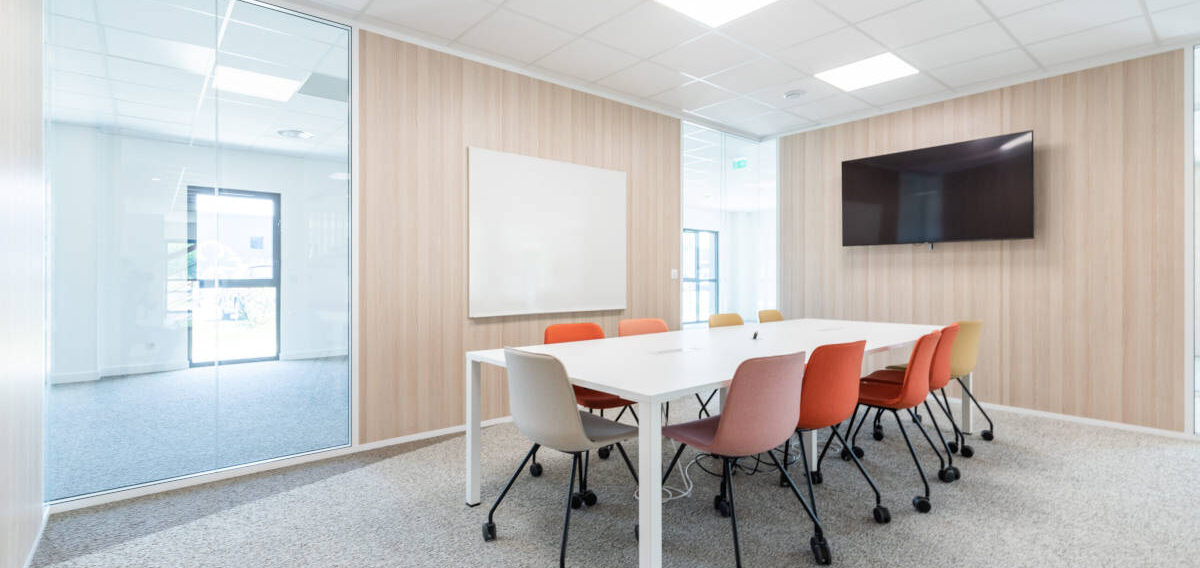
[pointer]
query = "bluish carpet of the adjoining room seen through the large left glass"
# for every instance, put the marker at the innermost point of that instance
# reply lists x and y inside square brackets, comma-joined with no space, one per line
[128,431]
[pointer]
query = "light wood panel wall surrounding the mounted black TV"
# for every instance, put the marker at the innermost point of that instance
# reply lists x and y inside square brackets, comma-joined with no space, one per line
[1089,318]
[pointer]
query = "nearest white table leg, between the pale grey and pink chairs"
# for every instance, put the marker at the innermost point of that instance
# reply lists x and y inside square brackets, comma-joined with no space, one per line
[650,488]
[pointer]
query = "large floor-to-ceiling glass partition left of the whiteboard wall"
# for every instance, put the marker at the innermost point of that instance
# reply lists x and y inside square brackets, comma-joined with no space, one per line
[199,164]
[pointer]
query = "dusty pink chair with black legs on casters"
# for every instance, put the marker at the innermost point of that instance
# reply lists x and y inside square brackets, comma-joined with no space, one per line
[760,414]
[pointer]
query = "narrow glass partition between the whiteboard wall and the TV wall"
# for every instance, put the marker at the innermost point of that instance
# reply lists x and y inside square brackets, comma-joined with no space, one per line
[730,252]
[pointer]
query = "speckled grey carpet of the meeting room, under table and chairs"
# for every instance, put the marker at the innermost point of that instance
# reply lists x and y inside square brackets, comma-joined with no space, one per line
[1046,493]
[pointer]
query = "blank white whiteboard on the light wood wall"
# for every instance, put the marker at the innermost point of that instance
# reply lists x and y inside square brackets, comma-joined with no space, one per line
[545,237]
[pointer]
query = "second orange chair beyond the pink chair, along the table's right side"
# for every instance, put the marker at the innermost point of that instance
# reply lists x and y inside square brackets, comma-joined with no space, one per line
[905,396]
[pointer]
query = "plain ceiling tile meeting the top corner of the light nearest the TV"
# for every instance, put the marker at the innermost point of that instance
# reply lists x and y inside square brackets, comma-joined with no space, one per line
[923,21]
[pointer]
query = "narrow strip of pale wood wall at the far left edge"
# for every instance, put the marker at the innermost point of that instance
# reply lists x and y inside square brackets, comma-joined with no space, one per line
[22,289]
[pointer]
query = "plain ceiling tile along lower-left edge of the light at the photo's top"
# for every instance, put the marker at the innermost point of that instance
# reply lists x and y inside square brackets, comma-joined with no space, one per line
[647,31]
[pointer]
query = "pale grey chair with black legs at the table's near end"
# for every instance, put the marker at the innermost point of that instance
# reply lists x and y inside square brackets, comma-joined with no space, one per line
[544,411]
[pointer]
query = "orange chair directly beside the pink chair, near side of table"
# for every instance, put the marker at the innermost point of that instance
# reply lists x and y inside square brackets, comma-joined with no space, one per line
[830,397]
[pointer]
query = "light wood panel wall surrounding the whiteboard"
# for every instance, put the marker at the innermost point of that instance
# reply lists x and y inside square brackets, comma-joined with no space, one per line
[419,112]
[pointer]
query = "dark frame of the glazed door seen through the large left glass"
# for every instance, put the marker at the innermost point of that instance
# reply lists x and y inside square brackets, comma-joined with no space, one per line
[275,282]
